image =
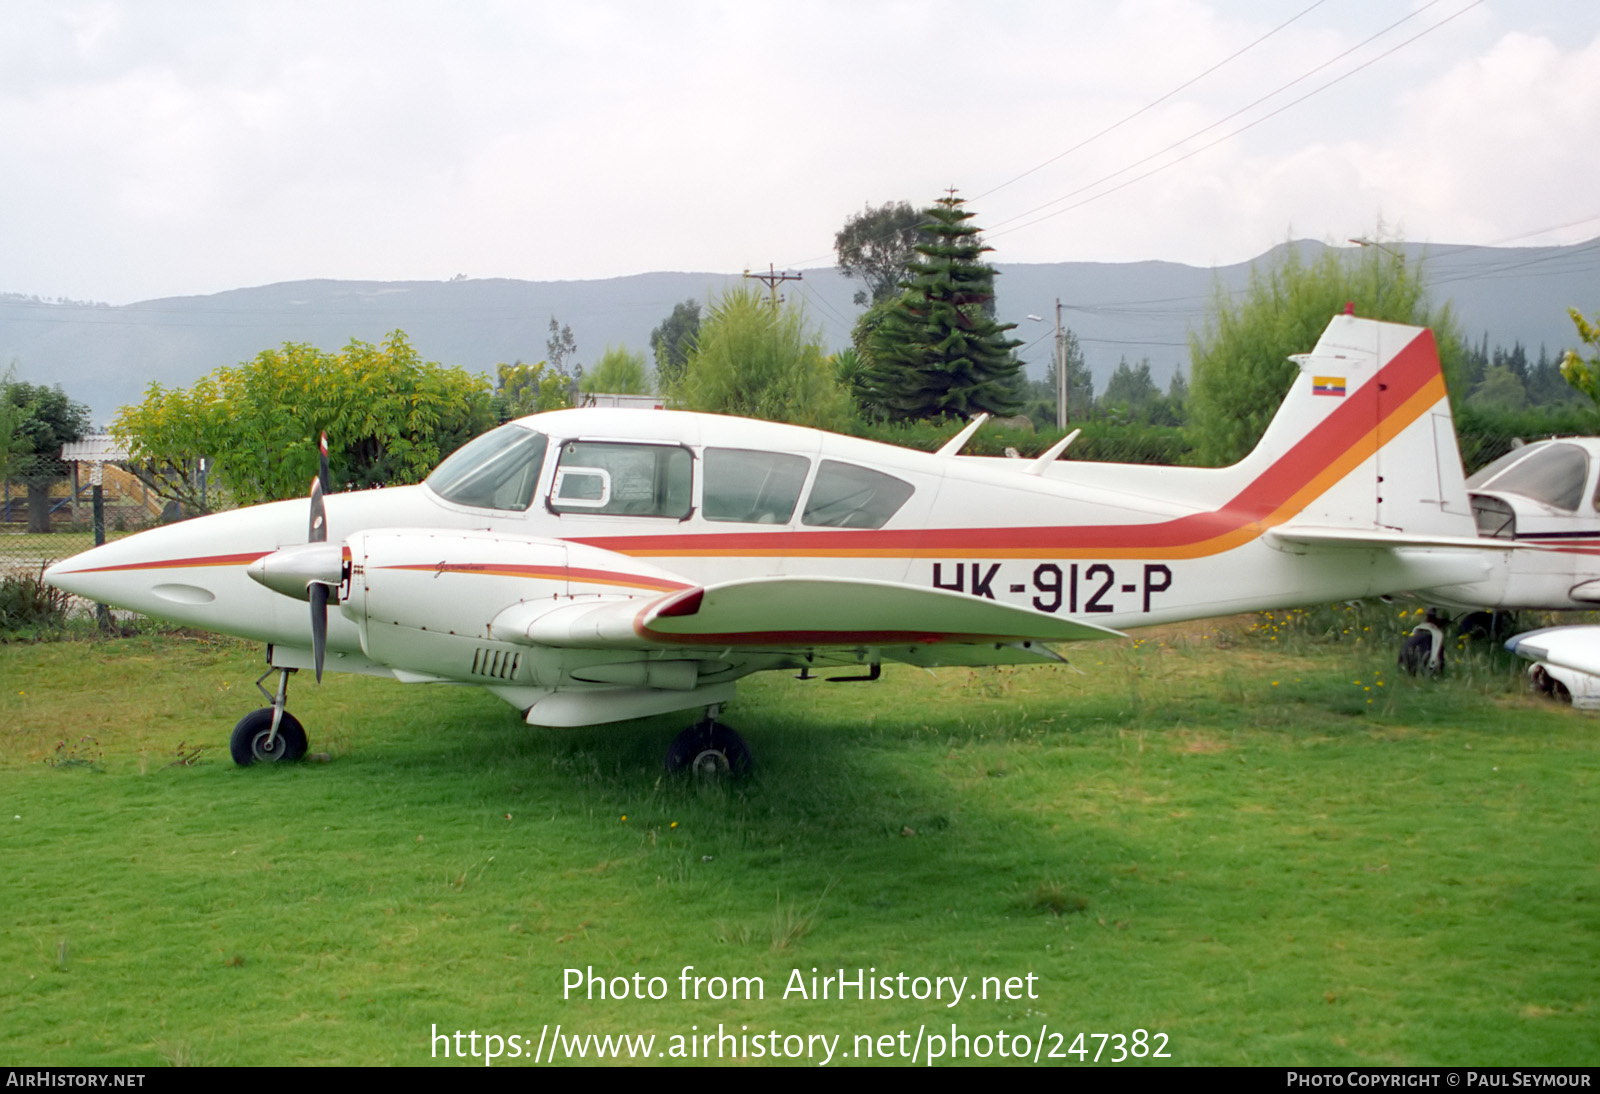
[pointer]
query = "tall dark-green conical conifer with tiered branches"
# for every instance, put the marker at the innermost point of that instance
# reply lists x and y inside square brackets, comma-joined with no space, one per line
[937,351]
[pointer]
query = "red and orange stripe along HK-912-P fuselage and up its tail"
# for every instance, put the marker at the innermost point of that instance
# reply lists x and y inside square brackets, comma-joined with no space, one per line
[1364,423]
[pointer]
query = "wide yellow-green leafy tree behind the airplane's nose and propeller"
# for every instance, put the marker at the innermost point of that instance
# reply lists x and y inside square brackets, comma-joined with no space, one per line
[390,418]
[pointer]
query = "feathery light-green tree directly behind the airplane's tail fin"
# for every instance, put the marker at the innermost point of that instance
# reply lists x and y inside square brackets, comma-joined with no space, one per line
[1241,367]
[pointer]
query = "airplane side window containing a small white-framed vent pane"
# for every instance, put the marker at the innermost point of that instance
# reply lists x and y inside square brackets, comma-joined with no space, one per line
[623,481]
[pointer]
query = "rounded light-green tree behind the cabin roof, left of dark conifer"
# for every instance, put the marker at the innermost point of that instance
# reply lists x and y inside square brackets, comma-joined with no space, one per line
[761,362]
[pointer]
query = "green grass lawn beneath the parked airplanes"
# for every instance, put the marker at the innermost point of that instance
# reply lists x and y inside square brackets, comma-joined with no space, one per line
[1254,840]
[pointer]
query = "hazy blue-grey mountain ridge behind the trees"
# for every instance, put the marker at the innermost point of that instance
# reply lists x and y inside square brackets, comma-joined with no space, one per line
[108,356]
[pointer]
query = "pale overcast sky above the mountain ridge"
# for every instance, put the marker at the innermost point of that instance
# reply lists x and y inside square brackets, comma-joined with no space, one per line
[162,148]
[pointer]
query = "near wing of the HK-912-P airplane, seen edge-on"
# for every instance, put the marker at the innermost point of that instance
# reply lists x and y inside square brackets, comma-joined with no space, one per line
[790,615]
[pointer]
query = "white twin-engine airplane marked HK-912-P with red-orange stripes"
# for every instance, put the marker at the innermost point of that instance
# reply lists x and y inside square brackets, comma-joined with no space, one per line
[596,565]
